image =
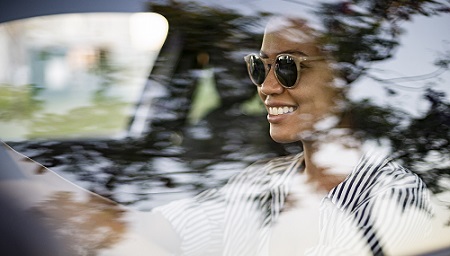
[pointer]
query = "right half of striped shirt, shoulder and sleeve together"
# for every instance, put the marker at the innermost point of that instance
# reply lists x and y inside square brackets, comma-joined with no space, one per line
[381,204]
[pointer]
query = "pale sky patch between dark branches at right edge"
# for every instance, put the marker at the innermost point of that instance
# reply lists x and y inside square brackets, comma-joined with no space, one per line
[423,42]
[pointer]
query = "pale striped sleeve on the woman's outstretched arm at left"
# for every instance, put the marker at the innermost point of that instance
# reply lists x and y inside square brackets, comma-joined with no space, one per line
[200,221]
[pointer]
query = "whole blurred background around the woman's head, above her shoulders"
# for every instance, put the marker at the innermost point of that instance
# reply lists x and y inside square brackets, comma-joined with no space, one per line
[148,102]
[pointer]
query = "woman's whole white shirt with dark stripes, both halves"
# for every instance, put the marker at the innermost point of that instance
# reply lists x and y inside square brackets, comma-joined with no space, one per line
[369,213]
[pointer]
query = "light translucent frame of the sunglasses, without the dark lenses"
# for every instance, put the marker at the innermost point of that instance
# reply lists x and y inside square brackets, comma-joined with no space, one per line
[269,62]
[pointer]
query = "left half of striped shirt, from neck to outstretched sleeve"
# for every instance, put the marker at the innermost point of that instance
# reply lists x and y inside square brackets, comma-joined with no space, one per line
[232,219]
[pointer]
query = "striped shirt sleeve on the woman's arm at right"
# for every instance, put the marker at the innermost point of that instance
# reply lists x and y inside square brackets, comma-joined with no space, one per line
[398,213]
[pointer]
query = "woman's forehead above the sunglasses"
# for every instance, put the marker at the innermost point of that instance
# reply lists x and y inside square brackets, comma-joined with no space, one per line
[287,35]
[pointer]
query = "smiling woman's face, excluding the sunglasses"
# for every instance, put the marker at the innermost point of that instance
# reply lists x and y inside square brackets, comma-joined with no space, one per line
[312,99]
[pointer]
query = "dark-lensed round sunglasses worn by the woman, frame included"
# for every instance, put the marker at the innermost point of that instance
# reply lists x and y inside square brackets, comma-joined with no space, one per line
[287,68]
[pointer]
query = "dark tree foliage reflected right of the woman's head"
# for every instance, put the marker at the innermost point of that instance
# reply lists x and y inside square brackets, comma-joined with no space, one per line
[359,33]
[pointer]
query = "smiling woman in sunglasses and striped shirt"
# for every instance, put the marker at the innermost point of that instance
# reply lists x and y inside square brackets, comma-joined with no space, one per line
[329,199]
